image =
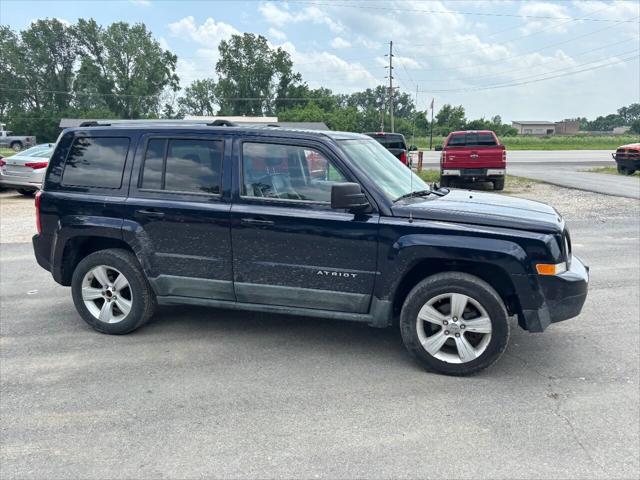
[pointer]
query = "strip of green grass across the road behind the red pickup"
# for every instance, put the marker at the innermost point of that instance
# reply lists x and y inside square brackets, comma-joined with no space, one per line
[526,142]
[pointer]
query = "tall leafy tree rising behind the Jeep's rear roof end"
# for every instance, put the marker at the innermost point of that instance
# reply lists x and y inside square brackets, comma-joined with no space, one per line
[124,68]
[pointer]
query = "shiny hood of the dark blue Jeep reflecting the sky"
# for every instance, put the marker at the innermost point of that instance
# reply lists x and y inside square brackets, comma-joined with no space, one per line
[477,208]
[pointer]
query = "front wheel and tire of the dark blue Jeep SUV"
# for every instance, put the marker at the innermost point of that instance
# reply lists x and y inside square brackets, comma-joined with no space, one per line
[447,358]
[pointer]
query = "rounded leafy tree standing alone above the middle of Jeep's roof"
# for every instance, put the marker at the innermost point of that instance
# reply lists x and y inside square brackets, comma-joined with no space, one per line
[254,79]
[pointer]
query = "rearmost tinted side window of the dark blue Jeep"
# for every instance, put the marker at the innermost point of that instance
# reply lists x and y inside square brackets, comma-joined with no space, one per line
[96,162]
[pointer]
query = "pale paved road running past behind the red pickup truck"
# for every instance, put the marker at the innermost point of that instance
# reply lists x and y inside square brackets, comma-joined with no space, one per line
[566,168]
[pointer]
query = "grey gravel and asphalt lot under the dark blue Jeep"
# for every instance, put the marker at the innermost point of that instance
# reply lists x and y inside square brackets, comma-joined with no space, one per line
[213,393]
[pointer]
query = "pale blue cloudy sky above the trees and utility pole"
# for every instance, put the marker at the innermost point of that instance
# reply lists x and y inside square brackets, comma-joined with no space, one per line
[522,60]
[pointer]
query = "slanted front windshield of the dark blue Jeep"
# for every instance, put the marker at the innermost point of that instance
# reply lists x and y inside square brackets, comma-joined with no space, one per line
[394,178]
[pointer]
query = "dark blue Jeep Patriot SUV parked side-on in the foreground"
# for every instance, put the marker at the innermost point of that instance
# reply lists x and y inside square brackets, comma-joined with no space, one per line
[317,224]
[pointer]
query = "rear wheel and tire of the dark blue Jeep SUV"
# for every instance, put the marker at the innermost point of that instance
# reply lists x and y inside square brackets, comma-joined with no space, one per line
[137,295]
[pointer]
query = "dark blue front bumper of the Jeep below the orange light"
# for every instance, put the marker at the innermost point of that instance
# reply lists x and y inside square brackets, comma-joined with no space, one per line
[564,296]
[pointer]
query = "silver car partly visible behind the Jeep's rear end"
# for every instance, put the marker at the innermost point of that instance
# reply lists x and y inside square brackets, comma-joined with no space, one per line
[24,171]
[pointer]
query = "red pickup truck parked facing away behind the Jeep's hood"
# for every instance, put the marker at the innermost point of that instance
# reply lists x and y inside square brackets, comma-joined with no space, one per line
[474,155]
